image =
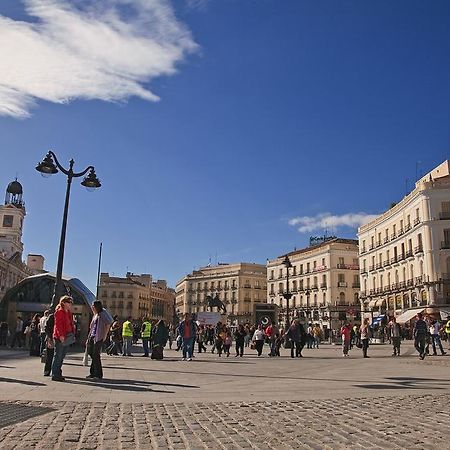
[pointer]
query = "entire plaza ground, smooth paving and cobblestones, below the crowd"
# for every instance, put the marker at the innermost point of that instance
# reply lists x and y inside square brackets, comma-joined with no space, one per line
[319,401]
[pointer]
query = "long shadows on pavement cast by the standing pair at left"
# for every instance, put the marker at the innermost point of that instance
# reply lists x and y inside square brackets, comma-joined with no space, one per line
[129,385]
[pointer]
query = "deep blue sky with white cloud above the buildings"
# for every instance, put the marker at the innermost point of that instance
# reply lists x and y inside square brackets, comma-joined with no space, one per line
[268,111]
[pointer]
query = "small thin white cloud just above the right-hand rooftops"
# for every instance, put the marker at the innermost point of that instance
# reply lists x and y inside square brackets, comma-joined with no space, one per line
[330,222]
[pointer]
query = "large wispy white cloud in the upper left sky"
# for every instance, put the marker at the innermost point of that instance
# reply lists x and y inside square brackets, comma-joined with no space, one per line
[87,49]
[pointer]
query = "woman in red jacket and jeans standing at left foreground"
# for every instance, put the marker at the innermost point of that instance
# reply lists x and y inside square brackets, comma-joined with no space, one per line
[63,335]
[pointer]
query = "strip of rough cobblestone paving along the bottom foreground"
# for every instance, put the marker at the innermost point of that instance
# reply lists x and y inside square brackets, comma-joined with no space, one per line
[405,422]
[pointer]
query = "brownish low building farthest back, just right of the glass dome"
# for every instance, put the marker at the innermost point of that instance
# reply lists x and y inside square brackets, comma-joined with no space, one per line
[137,296]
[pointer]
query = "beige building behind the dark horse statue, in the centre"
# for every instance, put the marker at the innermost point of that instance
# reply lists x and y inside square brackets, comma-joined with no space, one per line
[239,286]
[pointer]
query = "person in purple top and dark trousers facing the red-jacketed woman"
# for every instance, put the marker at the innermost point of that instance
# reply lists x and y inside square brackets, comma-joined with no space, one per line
[98,331]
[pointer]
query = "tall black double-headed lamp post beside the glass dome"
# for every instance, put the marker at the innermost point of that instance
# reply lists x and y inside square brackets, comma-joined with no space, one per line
[49,166]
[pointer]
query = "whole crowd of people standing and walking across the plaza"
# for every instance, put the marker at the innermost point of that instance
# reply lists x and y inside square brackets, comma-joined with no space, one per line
[51,335]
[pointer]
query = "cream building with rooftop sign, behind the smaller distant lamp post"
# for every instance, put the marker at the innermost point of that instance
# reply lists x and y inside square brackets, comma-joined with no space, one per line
[323,281]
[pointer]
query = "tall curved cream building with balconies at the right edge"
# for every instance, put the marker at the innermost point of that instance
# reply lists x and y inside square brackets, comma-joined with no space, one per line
[405,252]
